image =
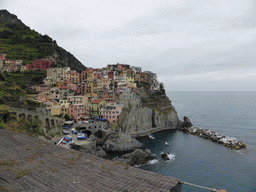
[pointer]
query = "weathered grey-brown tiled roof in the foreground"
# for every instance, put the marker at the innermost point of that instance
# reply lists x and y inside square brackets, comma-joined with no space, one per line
[29,164]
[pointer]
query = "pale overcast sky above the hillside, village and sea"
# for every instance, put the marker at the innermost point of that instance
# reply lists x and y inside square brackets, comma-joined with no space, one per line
[192,45]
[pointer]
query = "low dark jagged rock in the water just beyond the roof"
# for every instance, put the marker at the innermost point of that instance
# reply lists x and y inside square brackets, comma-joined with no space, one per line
[138,157]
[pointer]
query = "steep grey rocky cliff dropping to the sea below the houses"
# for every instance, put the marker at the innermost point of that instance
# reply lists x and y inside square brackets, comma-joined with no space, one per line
[154,111]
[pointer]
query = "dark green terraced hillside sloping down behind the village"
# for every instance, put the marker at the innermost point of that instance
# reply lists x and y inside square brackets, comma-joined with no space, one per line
[18,41]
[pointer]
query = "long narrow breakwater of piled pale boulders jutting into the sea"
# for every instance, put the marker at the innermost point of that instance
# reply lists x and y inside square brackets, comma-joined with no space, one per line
[231,142]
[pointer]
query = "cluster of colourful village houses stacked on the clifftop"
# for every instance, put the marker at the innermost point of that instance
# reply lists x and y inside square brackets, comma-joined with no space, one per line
[94,93]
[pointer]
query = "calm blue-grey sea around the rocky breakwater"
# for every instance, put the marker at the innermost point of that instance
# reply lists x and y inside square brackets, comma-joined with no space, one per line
[200,161]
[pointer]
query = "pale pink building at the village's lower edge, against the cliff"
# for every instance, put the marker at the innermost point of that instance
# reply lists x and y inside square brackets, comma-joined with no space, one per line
[112,112]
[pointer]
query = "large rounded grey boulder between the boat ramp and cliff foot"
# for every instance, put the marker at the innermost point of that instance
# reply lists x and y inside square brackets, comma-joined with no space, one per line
[120,142]
